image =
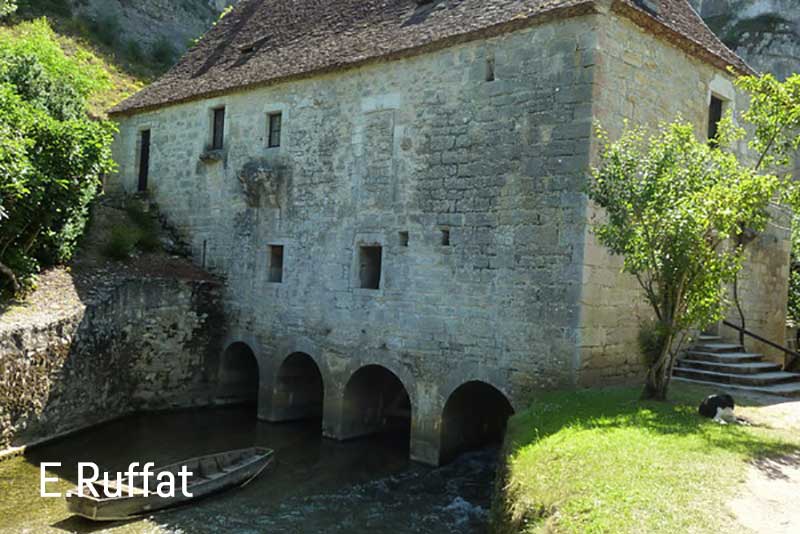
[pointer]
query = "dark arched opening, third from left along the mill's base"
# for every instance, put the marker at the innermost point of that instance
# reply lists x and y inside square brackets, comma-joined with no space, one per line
[376,401]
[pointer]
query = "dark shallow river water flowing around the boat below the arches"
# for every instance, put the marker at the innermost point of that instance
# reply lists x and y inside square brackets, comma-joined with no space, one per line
[315,486]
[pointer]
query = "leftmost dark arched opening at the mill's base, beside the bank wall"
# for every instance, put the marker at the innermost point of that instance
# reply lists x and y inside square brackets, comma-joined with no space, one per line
[238,376]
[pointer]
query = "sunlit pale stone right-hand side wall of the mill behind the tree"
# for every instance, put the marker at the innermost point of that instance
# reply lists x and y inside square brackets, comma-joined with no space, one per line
[647,81]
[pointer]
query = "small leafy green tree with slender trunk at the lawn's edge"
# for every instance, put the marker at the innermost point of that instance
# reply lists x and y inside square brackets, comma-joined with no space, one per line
[671,202]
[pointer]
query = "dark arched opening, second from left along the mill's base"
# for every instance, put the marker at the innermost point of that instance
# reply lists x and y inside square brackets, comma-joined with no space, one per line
[298,392]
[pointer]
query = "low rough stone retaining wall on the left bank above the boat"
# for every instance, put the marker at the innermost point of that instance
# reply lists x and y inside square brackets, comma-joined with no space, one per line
[147,346]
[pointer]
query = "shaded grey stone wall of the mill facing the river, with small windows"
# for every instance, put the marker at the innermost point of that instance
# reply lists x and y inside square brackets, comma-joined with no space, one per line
[419,145]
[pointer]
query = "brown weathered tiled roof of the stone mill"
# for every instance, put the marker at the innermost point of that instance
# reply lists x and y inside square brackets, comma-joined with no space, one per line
[266,41]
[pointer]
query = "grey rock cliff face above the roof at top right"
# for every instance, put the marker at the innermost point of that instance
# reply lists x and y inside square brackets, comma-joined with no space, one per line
[766,33]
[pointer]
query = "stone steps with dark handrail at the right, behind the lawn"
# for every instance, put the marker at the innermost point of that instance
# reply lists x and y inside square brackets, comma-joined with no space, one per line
[728,366]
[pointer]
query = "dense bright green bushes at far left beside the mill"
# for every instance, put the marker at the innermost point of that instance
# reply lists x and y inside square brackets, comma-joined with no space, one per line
[51,154]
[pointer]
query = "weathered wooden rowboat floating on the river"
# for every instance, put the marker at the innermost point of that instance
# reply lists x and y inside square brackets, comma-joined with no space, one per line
[210,474]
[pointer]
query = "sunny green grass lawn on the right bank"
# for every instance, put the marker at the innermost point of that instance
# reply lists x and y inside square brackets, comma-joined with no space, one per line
[602,461]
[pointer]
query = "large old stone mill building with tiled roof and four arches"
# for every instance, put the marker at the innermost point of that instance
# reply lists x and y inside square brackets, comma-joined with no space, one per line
[392,192]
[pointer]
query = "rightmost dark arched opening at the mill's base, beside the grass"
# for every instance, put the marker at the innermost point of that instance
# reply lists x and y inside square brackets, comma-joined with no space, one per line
[474,417]
